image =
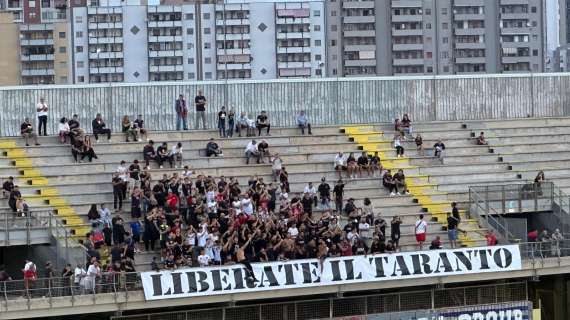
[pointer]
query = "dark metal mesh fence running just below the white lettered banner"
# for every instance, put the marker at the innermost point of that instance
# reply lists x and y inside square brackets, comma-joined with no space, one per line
[353,306]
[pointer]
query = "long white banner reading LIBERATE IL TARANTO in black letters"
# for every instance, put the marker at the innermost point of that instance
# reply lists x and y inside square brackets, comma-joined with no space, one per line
[190,282]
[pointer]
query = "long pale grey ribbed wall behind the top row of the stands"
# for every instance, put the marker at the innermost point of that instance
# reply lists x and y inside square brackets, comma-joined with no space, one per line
[328,101]
